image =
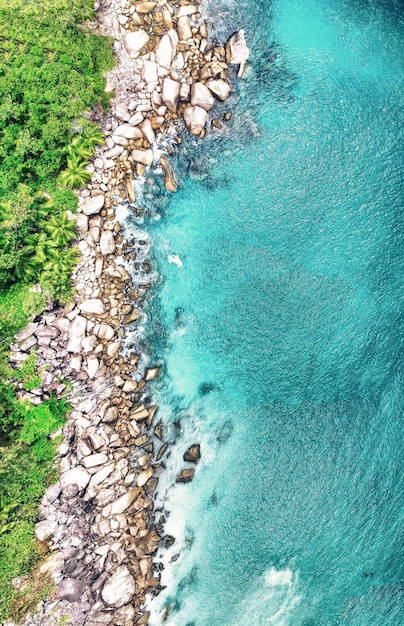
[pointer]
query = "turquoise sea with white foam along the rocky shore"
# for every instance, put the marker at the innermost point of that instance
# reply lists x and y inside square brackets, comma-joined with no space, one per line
[281,332]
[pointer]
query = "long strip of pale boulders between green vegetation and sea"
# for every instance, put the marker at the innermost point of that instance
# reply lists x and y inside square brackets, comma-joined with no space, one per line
[98,520]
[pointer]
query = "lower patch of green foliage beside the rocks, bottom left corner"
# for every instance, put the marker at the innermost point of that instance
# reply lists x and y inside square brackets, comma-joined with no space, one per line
[26,469]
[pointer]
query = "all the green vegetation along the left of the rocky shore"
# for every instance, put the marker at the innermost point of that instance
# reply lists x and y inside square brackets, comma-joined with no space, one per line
[51,77]
